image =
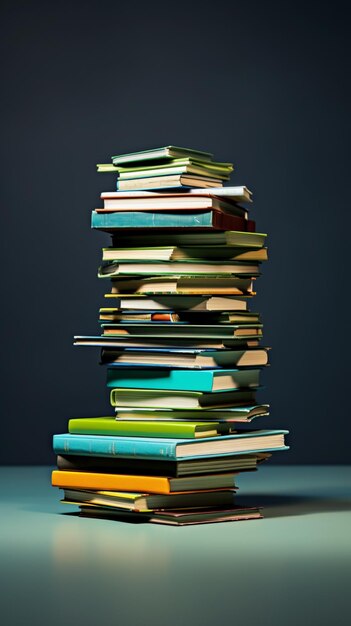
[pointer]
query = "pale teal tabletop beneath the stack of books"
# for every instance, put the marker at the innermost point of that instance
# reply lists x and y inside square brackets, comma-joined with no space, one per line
[293,567]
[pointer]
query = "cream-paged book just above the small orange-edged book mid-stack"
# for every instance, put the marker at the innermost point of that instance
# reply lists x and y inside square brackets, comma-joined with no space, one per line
[187,302]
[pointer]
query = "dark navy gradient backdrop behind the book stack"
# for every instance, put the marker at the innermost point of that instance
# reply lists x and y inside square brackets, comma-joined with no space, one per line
[262,84]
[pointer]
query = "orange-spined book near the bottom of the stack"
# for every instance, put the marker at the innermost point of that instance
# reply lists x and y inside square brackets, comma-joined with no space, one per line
[143,484]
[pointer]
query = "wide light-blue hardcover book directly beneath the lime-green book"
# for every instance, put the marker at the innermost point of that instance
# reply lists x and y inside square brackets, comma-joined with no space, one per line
[152,447]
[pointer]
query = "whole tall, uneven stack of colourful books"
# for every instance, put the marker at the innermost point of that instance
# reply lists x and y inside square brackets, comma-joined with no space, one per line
[181,348]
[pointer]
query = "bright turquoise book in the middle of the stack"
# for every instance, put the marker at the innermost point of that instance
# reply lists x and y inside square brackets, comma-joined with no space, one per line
[183,380]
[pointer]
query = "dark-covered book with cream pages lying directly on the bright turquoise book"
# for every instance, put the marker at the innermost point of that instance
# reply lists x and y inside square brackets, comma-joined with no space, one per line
[249,357]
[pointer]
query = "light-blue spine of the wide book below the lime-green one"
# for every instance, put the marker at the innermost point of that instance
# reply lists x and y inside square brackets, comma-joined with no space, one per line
[114,447]
